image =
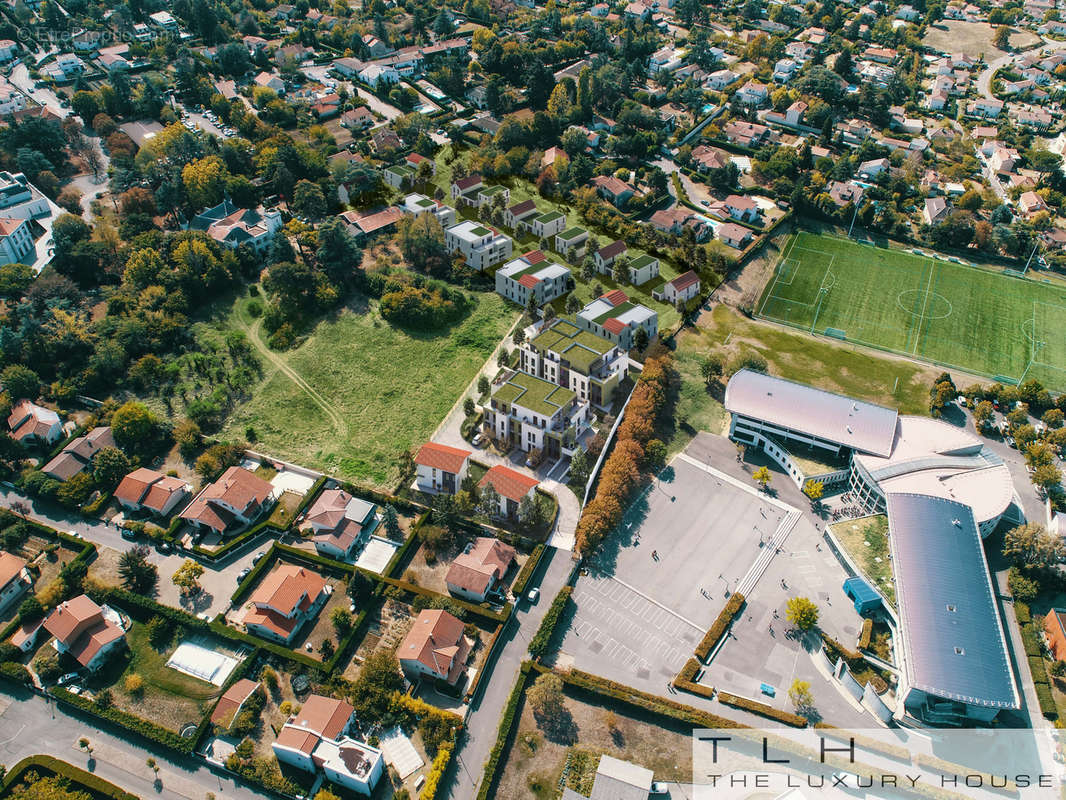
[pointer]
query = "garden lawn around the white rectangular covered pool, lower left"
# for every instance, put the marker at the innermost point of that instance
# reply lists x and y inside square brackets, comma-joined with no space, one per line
[169,698]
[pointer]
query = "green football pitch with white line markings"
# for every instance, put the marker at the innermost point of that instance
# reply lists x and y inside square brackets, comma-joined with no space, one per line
[982,322]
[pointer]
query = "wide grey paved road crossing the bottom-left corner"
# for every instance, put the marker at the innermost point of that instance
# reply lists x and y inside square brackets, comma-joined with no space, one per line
[33,726]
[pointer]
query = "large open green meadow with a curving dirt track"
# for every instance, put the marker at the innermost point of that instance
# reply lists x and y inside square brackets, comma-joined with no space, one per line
[359,392]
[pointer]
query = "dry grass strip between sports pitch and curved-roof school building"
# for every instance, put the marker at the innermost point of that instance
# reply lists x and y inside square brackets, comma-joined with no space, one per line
[798,357]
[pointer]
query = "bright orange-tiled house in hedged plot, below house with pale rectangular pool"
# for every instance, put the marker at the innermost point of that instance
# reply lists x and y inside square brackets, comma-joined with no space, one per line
[284,601]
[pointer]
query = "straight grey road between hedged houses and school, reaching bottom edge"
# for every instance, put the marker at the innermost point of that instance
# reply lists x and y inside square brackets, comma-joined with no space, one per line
[487,711]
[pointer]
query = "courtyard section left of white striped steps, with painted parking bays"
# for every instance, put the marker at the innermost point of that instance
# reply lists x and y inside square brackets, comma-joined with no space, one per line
[647,603]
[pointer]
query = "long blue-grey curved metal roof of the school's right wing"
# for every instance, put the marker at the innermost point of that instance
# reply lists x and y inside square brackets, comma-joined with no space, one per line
[954,642]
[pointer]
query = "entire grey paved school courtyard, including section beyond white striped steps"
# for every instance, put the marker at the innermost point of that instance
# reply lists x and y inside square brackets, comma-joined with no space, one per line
[701,532]
